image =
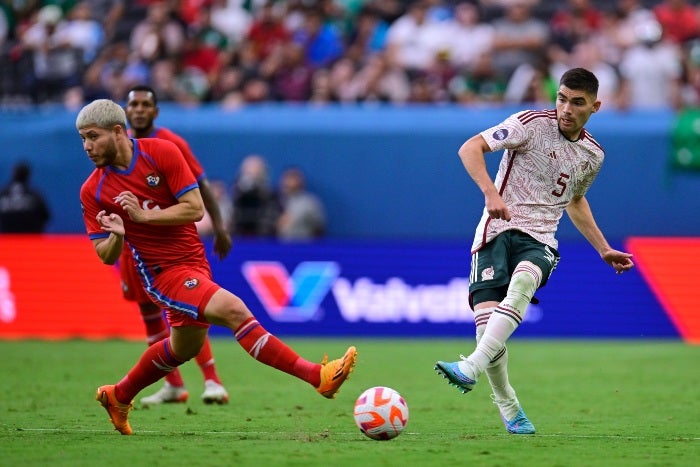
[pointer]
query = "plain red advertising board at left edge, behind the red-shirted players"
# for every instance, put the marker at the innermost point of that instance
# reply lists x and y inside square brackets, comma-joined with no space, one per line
[55,287]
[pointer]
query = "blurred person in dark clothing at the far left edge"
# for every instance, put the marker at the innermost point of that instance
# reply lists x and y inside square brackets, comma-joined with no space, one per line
[22,208]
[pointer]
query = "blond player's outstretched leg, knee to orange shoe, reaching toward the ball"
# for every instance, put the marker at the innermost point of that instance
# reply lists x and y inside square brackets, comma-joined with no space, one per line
[226,309]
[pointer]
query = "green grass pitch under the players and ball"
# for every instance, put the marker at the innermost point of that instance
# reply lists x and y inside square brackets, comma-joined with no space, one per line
[593,403]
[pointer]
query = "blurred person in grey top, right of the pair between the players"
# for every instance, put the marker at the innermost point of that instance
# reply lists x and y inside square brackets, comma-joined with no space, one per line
[303,216]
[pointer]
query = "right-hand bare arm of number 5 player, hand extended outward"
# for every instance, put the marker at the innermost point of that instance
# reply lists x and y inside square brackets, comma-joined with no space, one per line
[581,215]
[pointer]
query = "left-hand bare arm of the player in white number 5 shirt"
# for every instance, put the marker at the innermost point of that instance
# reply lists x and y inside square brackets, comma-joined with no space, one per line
[472,155]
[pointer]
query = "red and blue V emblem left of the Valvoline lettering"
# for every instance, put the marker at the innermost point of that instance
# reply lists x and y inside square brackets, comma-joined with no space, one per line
[294,298]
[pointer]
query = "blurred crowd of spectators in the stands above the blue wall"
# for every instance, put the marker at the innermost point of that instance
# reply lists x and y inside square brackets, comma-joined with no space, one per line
[646,54]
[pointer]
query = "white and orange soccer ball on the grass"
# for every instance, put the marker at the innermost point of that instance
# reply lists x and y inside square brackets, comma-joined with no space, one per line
[381,413]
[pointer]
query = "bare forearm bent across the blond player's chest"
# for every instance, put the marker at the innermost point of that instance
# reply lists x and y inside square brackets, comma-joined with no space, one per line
[189,208]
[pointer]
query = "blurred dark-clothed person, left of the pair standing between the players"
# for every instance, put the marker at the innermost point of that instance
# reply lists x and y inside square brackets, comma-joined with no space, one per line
[255,204]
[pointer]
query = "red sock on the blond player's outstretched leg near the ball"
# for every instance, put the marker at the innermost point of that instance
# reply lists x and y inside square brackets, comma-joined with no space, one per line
[267,349]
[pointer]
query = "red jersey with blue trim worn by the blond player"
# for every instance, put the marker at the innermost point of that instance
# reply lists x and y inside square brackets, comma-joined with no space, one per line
[158,175]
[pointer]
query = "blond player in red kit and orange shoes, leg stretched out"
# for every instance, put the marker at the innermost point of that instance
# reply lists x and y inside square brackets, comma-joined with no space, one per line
[143,196]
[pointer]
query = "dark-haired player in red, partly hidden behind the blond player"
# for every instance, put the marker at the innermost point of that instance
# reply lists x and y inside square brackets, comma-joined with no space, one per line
[141,112]
